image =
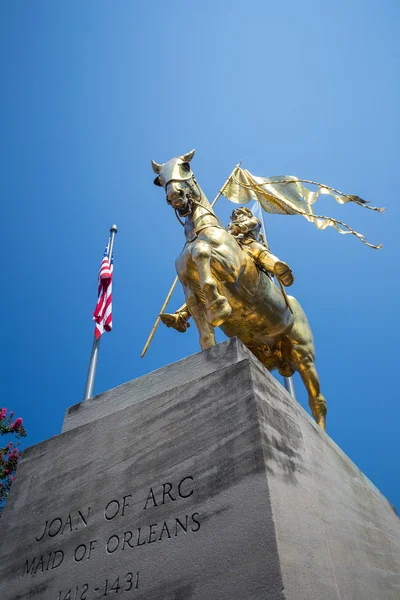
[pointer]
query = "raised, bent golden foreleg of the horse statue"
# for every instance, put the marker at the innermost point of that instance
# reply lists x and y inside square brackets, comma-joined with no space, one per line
[217,306]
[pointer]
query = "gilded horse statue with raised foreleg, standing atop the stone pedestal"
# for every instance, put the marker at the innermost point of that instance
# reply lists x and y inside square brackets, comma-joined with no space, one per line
[224,288]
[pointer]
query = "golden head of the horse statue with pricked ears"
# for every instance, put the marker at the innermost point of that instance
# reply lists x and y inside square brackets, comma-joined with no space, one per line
[176,177]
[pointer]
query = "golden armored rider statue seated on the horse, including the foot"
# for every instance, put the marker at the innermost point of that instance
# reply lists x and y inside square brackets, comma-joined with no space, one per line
[246,229]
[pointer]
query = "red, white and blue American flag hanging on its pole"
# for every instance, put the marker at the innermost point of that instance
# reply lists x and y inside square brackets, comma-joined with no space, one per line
[103,312]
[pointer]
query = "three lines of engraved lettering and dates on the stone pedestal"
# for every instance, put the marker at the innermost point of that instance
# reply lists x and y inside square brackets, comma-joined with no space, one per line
[121,540]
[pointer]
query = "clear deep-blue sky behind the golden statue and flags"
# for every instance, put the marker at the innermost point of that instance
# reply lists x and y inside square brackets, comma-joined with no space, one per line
[91,91]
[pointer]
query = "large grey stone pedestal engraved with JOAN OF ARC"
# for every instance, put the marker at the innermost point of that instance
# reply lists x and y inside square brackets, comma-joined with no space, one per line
[204,480]
